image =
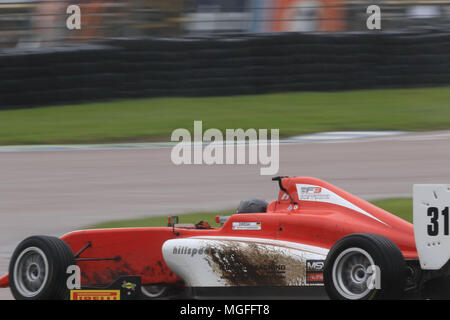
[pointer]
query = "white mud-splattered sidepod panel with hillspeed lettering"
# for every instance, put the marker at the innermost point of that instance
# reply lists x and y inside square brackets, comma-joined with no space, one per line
[241,261]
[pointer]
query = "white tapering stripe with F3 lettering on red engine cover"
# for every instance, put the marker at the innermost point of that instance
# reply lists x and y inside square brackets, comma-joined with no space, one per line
[308,192]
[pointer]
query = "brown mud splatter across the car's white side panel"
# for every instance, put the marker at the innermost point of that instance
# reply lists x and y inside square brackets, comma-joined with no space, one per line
[255,265]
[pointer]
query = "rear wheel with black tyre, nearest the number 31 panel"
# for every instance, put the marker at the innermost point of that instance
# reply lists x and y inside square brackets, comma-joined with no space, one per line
[346,271]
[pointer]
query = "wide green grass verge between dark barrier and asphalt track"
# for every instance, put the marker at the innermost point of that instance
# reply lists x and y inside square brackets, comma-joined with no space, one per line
[292,113]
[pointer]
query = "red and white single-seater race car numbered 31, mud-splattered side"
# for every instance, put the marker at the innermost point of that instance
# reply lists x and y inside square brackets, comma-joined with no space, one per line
[314,241]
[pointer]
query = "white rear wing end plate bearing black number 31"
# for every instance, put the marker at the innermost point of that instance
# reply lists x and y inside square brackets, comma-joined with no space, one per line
[431,204]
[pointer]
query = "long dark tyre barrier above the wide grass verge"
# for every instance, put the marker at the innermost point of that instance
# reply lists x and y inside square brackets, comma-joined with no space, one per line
[223,65]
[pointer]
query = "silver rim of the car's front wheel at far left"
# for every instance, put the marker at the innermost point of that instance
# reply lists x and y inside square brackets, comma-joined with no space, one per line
[30,272]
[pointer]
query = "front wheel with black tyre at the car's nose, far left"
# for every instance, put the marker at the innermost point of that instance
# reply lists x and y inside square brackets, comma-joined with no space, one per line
[38,267]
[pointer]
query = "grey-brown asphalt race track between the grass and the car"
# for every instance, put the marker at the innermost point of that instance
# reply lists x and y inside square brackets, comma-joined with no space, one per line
[54,192]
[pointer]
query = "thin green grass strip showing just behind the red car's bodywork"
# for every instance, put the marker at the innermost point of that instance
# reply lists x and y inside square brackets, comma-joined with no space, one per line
[402,207]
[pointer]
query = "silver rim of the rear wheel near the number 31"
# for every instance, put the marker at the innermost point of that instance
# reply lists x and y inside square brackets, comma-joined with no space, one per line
[351,273]
